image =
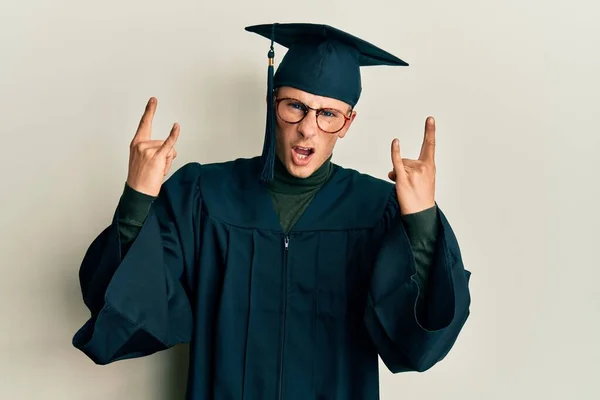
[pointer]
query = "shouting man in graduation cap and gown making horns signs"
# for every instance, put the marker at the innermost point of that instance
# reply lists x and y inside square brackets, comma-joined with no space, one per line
[291,285]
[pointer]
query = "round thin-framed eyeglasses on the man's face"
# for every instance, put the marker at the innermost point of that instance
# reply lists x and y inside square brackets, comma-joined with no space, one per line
[293,111]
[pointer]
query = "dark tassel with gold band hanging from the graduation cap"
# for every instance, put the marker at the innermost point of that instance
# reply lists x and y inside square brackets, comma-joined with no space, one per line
[268,154]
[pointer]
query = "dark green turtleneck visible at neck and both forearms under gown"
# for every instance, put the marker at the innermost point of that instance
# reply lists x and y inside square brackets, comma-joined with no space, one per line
[291,196]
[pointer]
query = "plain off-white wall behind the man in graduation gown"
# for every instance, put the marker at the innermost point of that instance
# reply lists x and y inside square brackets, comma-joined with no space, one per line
[515,91]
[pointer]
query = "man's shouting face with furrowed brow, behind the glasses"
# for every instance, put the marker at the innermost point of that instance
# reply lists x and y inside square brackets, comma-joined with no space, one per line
[304,147]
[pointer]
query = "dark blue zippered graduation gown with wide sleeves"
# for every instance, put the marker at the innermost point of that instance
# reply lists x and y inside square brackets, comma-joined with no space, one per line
[269,314]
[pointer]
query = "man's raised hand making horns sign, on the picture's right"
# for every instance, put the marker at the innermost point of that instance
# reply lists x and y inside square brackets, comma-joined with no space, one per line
[415,179]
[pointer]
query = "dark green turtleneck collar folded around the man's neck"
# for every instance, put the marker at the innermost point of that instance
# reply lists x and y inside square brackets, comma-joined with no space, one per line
[285,183]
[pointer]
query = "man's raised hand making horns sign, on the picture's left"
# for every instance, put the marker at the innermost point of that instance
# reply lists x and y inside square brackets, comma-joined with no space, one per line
[150,160]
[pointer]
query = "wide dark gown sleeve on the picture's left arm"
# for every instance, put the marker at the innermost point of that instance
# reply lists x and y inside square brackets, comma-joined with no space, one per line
[139,302]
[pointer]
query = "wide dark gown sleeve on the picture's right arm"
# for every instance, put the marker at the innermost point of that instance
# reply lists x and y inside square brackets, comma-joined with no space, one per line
[413,332]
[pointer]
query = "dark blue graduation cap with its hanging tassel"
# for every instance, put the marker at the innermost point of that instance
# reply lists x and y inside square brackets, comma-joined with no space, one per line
[321,60]
